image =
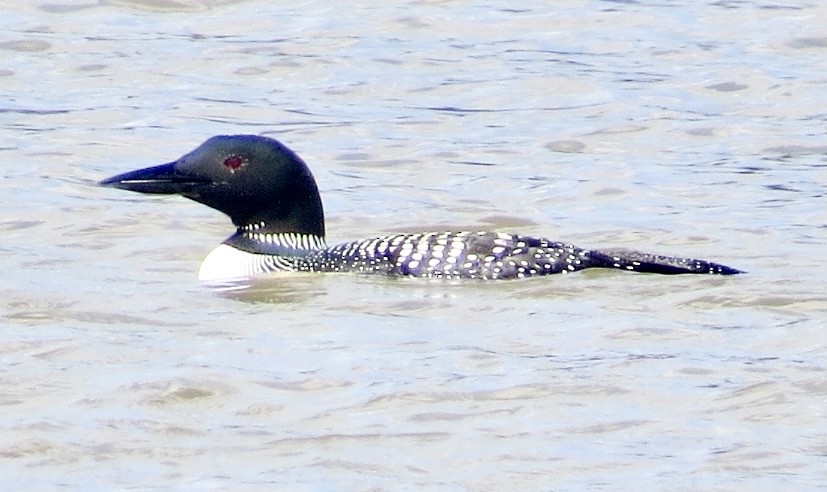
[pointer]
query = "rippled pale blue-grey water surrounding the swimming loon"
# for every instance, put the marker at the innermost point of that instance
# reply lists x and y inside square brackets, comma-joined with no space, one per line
[684,128]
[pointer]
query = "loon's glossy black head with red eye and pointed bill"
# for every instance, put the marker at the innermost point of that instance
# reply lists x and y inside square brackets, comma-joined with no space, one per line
[255,180]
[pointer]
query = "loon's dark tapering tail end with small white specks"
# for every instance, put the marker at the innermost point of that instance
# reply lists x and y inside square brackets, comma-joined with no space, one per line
[635,261]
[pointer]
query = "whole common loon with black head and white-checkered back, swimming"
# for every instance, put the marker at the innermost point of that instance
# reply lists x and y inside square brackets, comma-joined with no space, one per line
[272,199]
